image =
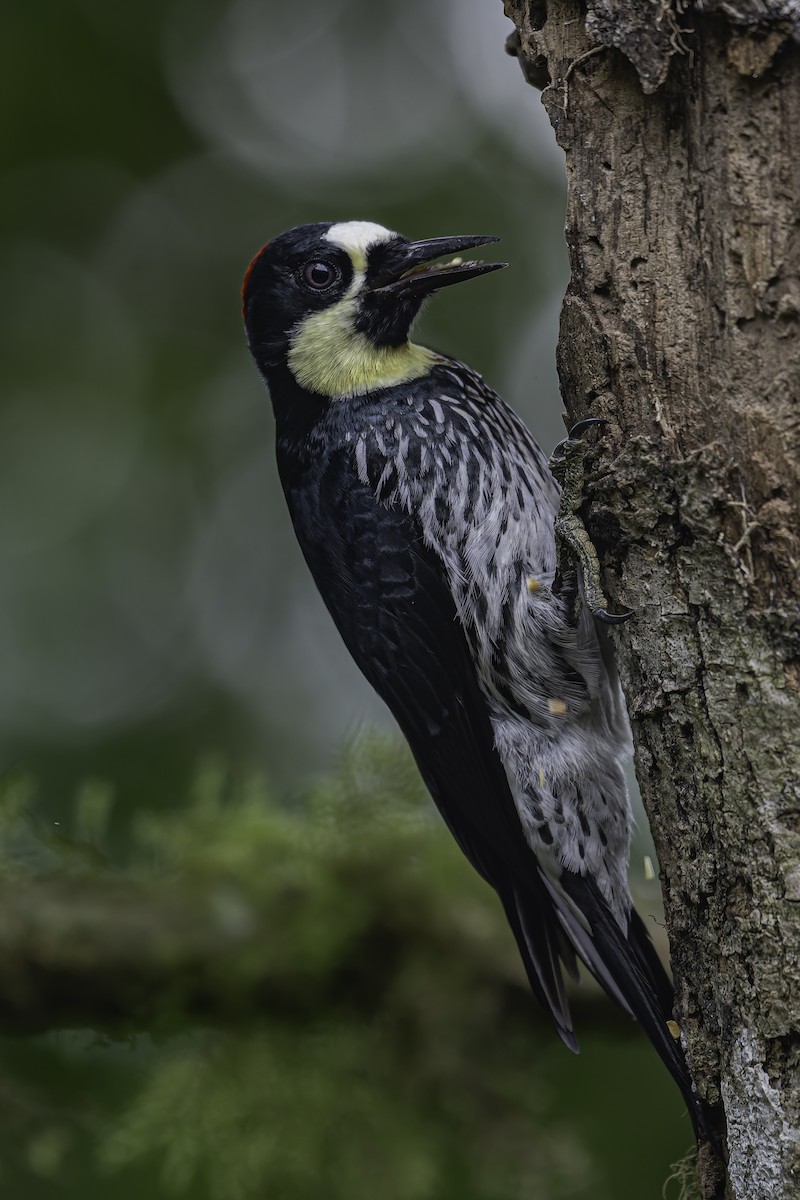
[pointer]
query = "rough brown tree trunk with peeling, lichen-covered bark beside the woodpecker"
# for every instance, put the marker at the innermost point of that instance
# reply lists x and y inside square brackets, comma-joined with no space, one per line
[682,327]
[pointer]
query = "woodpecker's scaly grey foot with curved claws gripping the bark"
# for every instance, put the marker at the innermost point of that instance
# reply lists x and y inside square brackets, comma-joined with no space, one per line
[574,545]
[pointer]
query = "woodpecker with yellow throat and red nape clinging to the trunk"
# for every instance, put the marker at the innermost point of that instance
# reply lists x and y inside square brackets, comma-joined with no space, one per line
[428,515]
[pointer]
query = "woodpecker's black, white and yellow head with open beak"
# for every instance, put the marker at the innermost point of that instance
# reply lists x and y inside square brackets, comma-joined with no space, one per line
[335,303]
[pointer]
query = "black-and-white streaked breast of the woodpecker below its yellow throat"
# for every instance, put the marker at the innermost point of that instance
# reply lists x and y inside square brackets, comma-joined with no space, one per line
[480,501]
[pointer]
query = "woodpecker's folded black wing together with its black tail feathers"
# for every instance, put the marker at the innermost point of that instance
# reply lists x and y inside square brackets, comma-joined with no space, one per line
[388,593]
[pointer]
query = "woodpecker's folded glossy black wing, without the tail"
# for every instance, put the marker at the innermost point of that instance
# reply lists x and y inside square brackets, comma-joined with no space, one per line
[388,593]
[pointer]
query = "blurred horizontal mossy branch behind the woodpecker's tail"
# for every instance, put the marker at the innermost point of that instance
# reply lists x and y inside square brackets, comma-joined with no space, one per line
[134,956]
